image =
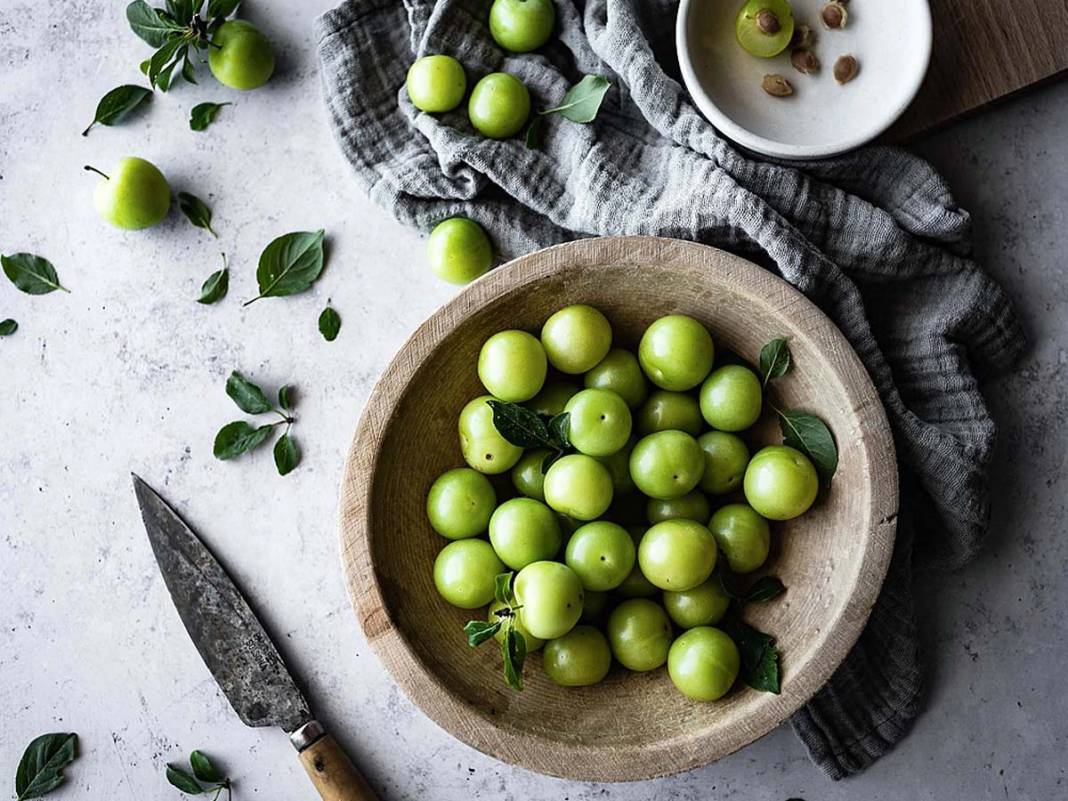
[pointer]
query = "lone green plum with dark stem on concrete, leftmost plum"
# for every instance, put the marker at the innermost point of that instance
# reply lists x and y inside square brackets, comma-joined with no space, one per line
[135,196]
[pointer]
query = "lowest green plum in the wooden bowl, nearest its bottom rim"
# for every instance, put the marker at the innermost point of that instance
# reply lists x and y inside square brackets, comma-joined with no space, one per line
[703,664]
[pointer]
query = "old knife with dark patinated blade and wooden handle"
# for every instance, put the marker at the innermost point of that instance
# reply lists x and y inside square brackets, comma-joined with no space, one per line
[238,651]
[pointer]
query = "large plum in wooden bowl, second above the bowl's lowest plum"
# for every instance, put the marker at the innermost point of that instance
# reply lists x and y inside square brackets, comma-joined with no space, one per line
[678,555]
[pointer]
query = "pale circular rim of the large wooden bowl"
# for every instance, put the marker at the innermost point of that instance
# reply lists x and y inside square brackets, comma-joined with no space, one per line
[578,761]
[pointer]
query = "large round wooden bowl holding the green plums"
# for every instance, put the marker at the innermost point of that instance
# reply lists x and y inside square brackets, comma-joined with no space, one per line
[631,727]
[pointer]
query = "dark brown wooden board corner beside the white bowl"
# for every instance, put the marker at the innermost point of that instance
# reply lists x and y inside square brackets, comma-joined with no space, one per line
[984,52]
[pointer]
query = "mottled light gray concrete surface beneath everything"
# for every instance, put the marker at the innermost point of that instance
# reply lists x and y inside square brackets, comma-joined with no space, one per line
[127,373]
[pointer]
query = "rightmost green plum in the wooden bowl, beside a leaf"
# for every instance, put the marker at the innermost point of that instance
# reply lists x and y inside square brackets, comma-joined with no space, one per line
[781,483]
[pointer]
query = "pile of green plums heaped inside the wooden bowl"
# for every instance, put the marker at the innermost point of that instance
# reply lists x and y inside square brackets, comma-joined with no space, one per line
[633,497]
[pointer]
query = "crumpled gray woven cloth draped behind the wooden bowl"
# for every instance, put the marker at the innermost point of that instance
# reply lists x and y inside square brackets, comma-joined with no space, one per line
[874,238]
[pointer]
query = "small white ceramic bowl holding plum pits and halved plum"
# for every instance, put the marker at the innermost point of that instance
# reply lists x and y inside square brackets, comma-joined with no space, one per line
[891,40]
